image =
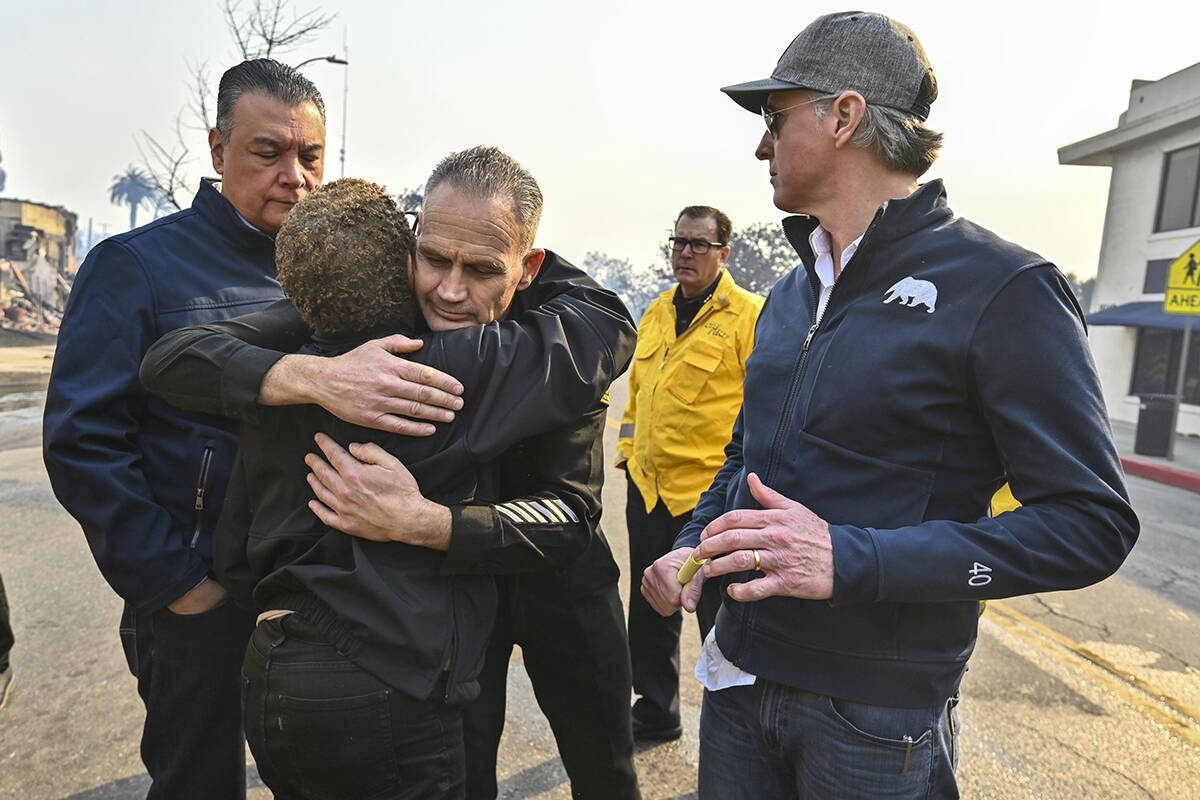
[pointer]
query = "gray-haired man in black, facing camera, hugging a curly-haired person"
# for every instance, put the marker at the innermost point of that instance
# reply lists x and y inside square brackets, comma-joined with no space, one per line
[475,262]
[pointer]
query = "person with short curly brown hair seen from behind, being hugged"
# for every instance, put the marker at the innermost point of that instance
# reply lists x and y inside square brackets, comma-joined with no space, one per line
[365,653]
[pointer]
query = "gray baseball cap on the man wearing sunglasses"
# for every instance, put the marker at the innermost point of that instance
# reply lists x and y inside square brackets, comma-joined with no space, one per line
[869,53]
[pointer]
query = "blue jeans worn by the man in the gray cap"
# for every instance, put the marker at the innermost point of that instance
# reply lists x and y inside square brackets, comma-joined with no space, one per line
[772,742]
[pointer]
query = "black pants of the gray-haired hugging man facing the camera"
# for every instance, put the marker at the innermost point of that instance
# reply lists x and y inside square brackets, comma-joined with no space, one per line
[577,654]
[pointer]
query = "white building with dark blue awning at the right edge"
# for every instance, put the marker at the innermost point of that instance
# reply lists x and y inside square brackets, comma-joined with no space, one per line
[1154,216]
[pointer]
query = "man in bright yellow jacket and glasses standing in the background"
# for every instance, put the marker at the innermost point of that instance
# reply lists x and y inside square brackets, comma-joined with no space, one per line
[685,394]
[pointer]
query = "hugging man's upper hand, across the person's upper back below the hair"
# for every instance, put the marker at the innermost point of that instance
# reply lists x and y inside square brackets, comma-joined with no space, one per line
[368,387]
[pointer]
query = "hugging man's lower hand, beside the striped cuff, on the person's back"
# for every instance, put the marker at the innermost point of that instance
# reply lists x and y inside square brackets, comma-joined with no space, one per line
[369,494]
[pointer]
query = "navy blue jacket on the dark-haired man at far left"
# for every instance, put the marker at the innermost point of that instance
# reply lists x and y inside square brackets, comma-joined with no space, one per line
[143,479]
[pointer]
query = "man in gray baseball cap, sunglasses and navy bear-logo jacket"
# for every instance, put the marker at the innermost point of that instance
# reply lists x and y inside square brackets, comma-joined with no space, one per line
[909,366]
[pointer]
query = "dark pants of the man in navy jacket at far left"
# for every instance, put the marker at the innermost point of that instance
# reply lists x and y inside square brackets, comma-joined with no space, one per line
[188,670]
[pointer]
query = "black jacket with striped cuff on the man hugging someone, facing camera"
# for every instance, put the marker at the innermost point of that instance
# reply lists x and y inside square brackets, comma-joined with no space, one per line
[219,369]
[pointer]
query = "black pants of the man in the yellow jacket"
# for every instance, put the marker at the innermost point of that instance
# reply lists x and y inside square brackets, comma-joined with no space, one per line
[653,639]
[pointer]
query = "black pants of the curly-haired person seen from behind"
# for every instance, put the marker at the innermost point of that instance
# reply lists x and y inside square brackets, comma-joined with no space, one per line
[322,727]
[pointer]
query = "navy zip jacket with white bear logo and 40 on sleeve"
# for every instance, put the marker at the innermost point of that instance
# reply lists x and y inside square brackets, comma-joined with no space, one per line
[946,363]
